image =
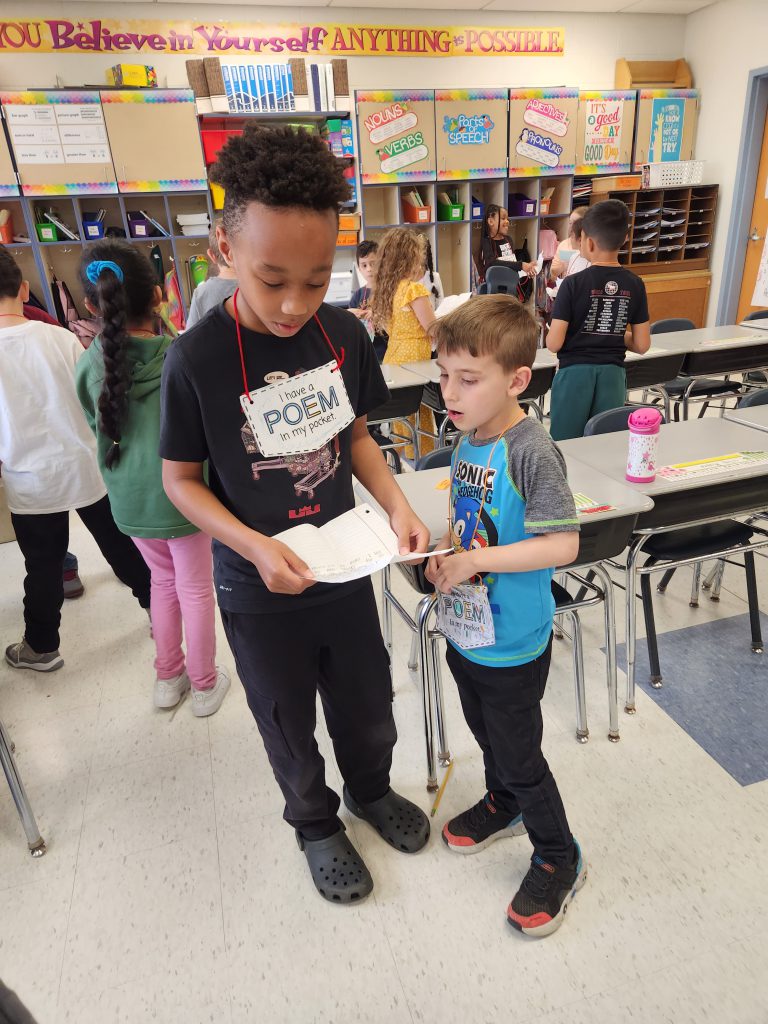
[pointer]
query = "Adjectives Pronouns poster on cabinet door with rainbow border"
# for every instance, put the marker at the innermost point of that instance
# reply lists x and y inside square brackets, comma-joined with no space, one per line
[543,132]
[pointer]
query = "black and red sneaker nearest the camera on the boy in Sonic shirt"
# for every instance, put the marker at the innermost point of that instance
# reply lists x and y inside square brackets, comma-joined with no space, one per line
[540,905]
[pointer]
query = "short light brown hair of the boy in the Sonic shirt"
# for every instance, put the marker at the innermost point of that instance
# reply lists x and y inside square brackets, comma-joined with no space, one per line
[490,325]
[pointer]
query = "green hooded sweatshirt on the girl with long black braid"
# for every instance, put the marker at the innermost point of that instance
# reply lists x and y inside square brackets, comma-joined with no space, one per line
[139,502]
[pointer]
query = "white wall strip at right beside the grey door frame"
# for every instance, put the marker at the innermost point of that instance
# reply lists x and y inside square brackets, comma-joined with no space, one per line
[723,44]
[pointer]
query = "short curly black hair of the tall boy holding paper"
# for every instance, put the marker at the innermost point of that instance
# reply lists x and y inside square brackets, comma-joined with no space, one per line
[278,167]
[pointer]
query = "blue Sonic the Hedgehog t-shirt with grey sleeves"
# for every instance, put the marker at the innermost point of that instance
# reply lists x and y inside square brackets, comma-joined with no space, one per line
[522,493]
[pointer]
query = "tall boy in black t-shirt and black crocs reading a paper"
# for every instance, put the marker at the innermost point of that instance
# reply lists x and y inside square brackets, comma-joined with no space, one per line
[292,636]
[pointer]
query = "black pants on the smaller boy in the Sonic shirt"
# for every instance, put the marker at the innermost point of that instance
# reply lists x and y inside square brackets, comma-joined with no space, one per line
[503,708]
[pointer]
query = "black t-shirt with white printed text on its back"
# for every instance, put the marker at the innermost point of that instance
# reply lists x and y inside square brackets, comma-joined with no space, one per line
[600,304]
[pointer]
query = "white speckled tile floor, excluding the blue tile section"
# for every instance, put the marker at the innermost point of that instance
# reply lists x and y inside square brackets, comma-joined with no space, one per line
[173,890]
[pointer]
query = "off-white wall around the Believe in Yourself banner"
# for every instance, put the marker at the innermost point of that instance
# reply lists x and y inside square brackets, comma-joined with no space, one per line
[593,42]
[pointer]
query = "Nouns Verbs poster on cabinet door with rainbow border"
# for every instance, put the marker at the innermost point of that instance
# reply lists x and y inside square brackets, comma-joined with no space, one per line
[397,136]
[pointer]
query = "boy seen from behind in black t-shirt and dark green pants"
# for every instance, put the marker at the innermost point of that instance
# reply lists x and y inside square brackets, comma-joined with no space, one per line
[599,315]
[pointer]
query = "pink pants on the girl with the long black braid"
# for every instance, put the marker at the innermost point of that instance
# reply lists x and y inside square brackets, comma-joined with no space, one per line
[183,589]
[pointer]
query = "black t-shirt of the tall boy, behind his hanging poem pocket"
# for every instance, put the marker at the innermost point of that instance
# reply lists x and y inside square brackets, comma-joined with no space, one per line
[202,420]
